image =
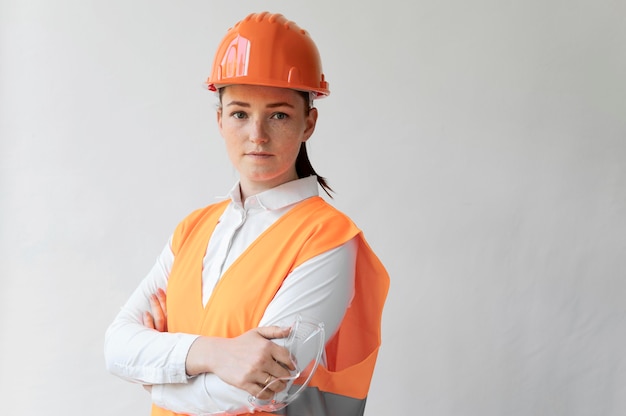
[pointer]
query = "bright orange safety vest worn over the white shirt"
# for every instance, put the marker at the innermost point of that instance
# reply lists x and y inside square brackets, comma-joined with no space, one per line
[241,296]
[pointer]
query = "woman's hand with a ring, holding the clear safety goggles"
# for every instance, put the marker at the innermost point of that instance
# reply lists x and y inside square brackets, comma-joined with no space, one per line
[249,361]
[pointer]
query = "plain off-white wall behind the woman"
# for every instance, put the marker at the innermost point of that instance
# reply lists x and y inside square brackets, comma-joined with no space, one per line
[480,145]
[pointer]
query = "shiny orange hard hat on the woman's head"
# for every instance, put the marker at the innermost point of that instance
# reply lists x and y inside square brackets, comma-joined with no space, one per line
[267,49]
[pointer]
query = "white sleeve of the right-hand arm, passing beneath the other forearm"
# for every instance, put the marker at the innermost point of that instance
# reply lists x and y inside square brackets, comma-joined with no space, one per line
[319,290]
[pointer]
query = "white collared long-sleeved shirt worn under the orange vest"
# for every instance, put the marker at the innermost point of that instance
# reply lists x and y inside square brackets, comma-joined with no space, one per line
[319,290]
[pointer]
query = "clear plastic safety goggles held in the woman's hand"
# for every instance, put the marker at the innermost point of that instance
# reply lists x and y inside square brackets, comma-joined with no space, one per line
[306,339]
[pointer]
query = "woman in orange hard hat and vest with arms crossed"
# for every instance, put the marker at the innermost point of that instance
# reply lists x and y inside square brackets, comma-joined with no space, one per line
[204,330]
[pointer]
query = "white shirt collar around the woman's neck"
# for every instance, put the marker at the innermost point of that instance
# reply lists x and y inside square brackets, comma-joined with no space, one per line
[280,196]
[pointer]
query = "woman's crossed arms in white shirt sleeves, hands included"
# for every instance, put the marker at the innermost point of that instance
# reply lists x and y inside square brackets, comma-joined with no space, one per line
[208,375]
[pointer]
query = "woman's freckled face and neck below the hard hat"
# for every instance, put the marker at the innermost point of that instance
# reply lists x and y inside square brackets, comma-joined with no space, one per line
[263,128]
